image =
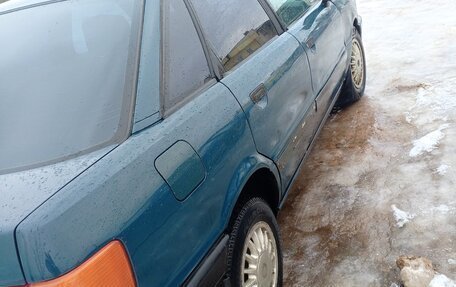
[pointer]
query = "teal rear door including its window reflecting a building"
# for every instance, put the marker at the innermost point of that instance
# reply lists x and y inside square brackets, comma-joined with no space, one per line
[268,73]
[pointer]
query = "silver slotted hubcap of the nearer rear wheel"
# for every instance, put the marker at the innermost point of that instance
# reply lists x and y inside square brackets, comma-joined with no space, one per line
[259,259]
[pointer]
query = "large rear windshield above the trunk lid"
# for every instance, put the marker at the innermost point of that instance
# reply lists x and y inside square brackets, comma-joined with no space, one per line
[66,79]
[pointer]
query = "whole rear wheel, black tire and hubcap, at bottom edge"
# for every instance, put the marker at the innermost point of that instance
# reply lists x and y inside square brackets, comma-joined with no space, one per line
[247,253]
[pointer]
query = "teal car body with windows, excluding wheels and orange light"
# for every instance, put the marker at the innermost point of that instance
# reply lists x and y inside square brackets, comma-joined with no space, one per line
[150,123]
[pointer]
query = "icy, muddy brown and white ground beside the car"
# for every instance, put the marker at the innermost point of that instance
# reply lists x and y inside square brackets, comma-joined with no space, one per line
[380,181]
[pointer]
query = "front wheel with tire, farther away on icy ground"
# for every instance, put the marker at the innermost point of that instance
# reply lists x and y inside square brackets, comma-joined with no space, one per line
[355,79]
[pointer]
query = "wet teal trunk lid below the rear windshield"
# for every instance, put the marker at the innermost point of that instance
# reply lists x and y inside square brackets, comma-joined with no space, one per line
[21,193]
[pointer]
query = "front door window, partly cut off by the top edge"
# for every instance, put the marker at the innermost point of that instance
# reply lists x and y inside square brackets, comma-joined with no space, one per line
[290,10]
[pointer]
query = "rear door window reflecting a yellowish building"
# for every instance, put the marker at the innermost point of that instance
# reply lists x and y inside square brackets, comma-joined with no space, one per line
[235,29]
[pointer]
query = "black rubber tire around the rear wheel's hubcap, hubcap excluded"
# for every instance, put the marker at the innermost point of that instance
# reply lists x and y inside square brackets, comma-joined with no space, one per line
[254,211]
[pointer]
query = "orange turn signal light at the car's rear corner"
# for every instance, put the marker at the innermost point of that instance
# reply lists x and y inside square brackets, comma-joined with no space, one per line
[108,267]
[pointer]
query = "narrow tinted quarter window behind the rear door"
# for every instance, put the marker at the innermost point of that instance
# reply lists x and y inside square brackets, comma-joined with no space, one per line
[185,66]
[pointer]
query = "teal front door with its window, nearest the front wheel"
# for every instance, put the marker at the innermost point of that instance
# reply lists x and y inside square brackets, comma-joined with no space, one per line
[319,27]
